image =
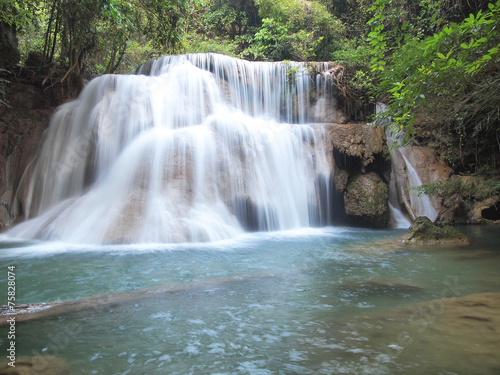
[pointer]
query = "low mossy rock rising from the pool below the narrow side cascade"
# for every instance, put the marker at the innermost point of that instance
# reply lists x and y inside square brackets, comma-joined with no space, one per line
[424,232]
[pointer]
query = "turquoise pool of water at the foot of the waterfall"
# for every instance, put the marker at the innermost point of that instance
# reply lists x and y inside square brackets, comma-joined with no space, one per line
[313,301]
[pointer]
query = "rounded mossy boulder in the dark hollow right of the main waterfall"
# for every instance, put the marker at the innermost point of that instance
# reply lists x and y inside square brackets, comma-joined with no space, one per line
[366,200]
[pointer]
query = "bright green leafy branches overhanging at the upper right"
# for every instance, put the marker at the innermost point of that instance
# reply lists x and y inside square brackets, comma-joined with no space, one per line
[452,74]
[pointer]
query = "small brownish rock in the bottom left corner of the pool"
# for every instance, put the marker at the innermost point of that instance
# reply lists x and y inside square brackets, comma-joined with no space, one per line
[37,365]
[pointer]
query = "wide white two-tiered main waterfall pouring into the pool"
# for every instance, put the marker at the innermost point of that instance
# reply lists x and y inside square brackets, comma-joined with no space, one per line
[203,148]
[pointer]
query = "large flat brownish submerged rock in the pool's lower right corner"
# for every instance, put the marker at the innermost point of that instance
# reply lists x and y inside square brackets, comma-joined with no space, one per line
[448,335]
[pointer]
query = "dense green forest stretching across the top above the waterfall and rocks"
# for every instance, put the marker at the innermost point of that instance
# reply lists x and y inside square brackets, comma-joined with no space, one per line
[434,63]
